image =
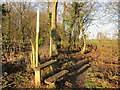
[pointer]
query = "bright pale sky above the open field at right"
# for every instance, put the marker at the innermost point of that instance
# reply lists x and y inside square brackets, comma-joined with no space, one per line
[104,24]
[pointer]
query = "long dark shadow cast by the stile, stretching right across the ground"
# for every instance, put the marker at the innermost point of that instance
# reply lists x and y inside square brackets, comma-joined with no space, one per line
[74,72]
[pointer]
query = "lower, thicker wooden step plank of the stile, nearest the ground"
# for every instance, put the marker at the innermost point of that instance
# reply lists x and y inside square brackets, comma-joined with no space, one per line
[52,79]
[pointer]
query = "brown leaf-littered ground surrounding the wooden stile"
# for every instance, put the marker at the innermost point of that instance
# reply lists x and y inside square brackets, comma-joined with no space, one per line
[96,69]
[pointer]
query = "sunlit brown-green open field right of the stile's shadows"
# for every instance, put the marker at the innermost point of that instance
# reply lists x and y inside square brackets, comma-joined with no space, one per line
[104,71]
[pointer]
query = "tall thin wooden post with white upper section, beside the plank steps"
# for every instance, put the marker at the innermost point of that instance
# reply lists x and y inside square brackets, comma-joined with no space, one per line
[37,72]
